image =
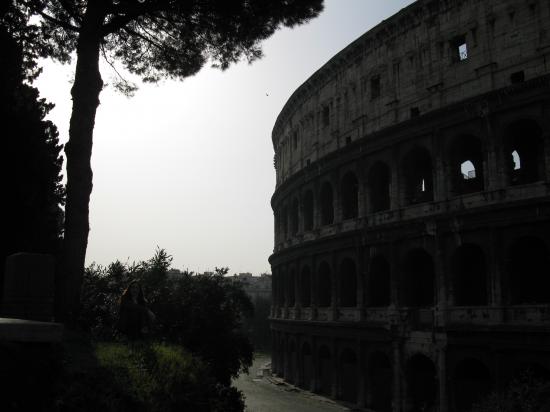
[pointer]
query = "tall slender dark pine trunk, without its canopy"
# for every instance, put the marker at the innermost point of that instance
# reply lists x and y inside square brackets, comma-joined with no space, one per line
[85,94]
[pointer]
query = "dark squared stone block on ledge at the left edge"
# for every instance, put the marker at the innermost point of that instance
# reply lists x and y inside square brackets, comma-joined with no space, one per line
[29,287]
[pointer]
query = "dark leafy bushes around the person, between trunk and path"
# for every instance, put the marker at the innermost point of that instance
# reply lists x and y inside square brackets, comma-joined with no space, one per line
[202,312]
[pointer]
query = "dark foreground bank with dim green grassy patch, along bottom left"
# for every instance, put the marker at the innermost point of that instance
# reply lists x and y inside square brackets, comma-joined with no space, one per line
[110,377]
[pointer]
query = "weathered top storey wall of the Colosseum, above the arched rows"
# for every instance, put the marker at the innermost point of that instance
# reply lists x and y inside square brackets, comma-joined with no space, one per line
[429,56]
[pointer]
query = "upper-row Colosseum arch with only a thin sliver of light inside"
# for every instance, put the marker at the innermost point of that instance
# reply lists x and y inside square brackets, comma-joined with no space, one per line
[418,176]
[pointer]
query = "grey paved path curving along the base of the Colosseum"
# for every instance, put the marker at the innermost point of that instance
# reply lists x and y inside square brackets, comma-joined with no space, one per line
[268,395]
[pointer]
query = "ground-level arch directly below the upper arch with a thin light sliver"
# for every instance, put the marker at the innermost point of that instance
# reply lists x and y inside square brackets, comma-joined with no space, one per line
[421,383]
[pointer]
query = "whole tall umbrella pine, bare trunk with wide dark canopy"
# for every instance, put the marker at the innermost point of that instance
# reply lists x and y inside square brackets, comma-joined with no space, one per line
[153,39]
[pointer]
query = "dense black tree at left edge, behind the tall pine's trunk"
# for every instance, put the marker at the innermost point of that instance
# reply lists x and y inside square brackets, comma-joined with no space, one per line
[32,190]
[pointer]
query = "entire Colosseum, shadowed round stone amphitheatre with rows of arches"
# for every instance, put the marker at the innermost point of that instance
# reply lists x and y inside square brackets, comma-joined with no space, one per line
[411,267]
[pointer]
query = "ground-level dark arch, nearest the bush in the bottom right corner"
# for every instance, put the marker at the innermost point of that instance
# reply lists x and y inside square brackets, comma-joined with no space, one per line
[472,383]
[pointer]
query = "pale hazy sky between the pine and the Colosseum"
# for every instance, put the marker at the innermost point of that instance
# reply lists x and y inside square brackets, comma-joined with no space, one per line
[188,166]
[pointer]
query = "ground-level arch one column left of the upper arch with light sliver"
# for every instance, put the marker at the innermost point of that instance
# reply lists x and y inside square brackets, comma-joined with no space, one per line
[380,379]
